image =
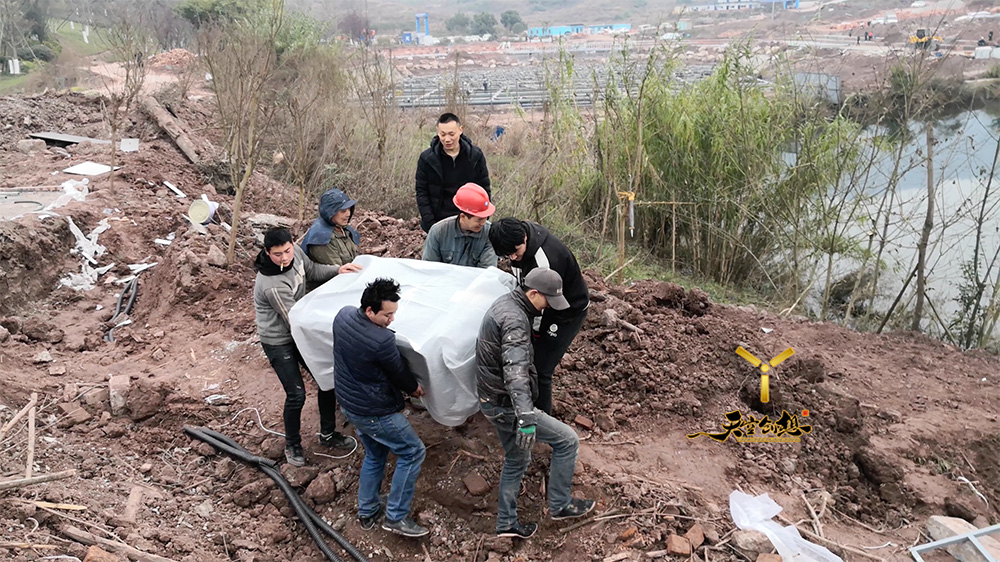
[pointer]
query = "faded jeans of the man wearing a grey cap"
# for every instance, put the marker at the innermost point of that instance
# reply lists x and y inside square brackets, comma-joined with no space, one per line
[565,444]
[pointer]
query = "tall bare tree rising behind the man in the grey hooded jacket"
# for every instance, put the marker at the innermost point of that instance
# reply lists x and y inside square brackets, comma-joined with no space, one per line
[243,62]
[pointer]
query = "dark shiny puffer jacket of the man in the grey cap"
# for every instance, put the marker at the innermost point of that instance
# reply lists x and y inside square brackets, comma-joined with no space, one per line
[505,357]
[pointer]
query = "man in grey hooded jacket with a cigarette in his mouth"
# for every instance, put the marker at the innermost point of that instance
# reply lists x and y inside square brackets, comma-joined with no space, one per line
[282,269]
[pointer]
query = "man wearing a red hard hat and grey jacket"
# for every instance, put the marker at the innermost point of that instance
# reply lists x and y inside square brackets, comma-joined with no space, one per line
[464,239]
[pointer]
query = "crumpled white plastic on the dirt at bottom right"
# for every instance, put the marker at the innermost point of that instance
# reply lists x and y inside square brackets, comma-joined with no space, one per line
[754,514]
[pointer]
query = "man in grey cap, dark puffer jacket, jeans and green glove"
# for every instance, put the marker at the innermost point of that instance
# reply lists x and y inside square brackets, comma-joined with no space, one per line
[507,384]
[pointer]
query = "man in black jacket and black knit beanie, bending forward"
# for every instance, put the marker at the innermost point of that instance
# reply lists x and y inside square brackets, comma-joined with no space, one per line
[528,246]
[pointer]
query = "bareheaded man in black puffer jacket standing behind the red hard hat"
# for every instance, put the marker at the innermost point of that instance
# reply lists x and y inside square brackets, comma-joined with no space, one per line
[451,162]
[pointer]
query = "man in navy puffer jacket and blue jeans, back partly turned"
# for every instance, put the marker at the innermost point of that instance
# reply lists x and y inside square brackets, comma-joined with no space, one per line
[369,378]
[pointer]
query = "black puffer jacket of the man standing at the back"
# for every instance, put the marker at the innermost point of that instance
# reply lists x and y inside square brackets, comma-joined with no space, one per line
[434,195]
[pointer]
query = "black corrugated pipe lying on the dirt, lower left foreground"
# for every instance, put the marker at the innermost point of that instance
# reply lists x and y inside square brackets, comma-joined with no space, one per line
[313,522]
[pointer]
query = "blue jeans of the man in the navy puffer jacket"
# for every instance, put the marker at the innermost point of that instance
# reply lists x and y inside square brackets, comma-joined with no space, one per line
[380,435]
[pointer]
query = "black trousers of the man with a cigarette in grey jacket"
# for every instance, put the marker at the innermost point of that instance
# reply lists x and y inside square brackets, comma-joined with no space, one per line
[286,359]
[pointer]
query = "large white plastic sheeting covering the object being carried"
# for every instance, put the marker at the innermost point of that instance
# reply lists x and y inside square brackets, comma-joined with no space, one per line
[440,310]
